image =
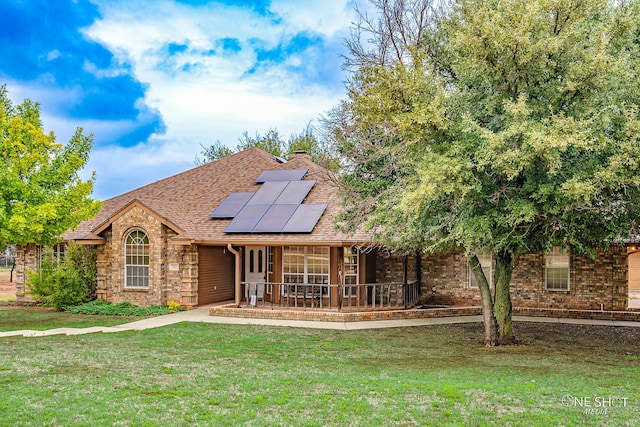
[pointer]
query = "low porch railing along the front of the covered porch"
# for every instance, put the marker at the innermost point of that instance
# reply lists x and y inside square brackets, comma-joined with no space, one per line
[369,296]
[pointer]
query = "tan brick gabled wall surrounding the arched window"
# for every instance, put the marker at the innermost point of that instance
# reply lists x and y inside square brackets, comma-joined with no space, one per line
[173,272]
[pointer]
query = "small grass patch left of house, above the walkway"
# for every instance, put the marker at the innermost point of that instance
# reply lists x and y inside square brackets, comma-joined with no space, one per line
[17,318]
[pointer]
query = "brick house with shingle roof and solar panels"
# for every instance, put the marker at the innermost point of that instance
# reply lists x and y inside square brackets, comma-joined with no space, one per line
[253,229]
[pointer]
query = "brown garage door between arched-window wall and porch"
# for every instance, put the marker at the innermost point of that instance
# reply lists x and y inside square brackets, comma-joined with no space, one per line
[216,267]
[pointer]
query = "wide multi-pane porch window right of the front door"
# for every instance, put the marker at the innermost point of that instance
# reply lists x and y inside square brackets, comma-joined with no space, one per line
[303,272]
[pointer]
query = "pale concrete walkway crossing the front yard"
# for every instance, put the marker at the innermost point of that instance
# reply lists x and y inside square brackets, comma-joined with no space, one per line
[202,315]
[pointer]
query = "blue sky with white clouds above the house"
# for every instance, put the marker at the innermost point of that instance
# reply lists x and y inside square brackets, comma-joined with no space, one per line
[155,79]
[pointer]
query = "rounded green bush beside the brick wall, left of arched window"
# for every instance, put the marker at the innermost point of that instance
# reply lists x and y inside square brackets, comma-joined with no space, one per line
[66,282]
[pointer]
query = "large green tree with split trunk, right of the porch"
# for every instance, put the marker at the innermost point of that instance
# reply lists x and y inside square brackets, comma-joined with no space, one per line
[493,126]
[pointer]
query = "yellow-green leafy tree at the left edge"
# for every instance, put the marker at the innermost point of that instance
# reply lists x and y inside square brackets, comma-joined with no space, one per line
[41,194]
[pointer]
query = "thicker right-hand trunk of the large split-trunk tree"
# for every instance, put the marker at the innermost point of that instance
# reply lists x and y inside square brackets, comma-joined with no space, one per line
[505,262]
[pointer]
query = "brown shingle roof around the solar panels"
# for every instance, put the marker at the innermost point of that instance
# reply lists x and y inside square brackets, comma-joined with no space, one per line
[185,201]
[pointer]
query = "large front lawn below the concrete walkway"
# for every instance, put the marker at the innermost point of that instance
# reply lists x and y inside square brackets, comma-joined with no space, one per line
[205,374]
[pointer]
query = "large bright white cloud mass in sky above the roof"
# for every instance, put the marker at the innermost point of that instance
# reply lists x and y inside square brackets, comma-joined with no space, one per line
[205,93]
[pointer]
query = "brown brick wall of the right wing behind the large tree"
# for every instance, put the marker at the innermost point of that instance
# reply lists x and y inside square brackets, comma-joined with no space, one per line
[595,284]
